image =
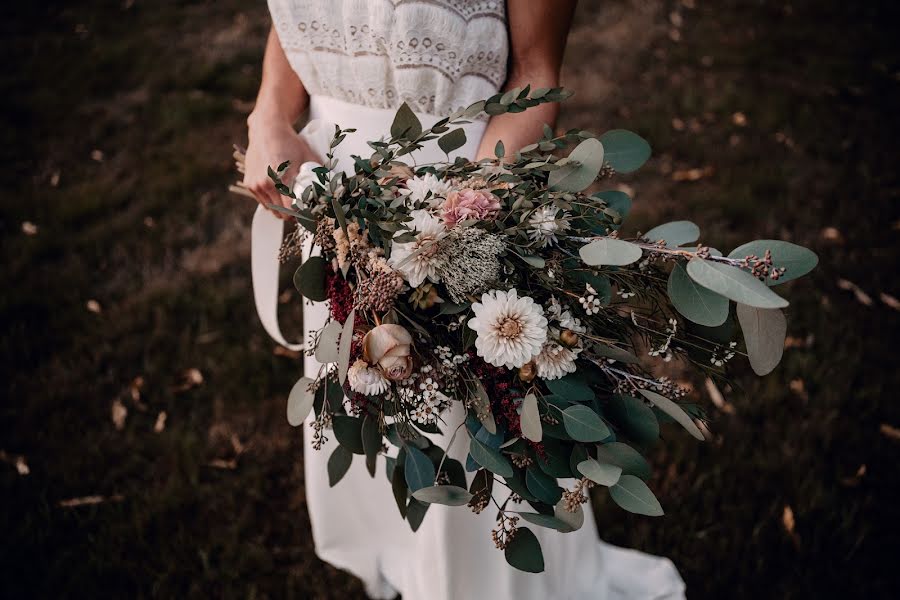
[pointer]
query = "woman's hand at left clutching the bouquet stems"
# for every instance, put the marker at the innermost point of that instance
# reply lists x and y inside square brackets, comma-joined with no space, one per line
[273,141]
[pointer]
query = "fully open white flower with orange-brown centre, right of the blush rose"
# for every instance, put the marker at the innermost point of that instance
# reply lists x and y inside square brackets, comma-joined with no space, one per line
[511,330]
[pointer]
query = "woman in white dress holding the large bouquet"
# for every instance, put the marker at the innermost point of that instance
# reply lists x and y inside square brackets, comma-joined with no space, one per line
[352,63]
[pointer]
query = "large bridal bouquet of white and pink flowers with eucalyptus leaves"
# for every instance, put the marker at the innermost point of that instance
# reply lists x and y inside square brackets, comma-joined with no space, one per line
[505,287]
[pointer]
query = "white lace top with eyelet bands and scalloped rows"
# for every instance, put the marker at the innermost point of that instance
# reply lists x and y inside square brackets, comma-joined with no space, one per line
[435,55]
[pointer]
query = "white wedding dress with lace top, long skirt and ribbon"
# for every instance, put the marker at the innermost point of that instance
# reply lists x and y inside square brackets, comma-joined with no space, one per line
[359,59]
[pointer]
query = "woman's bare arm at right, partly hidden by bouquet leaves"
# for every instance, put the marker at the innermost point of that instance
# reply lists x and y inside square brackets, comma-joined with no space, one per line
[537,32]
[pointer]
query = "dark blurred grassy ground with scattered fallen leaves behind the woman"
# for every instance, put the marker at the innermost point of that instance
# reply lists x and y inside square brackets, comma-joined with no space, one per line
[144,450]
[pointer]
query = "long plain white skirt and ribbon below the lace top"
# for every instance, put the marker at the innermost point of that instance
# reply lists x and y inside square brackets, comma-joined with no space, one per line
[356,525]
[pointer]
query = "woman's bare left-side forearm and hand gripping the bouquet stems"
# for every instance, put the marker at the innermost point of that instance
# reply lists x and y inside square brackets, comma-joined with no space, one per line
[272,137]
